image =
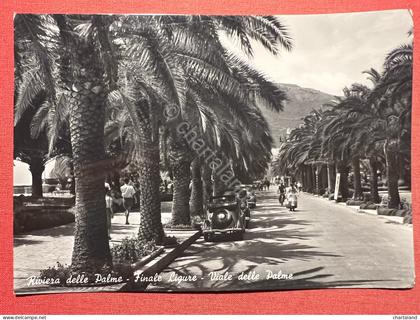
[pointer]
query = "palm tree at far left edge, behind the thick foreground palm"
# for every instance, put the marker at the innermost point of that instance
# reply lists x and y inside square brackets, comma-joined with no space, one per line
[33,65]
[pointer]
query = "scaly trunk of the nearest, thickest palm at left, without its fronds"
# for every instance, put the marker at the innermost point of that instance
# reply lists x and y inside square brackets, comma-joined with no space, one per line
[87,119]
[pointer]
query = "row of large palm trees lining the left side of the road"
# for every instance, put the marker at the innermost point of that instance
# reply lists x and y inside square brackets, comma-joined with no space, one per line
[98,88]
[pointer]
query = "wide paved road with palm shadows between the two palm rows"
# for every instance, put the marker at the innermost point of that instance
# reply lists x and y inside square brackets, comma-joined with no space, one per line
[321,245]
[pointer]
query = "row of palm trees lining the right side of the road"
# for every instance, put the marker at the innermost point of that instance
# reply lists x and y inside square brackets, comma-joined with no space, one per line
[369,125]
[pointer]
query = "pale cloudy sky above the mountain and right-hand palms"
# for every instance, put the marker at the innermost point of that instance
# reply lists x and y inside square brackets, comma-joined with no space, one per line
[331,50]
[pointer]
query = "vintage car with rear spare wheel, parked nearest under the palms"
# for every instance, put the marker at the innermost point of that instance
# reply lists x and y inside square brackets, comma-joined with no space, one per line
[225,219]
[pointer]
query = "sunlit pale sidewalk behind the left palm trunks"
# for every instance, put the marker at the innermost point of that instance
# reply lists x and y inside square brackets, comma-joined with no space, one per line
[41,249]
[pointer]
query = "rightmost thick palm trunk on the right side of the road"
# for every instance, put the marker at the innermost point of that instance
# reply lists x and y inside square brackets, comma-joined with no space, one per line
[392,175]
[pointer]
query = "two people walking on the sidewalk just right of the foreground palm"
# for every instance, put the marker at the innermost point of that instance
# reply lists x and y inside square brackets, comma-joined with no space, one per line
[129,193]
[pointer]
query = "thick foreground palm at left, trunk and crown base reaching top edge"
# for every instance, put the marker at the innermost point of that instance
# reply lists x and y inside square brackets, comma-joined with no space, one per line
[86,92]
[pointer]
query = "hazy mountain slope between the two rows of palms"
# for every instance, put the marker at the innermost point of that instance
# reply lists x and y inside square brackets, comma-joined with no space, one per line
[301,101]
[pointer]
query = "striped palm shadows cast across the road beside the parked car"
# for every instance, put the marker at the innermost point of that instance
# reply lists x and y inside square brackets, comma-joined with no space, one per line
[275,237]
